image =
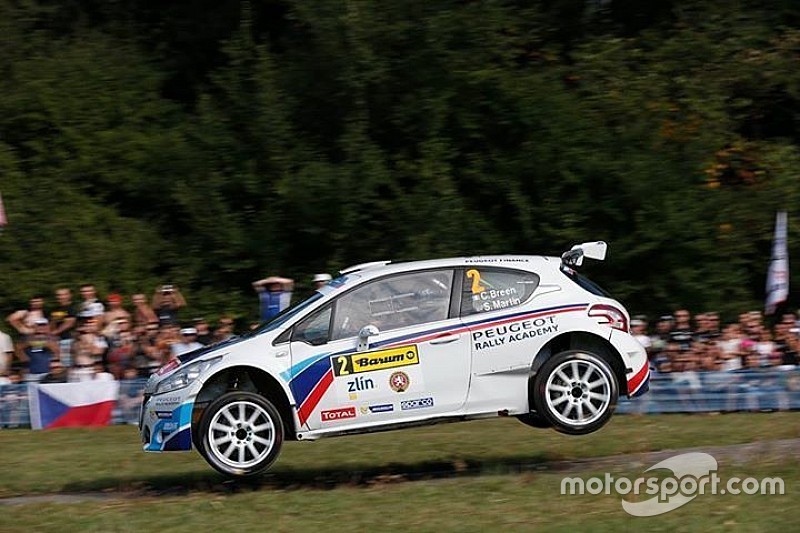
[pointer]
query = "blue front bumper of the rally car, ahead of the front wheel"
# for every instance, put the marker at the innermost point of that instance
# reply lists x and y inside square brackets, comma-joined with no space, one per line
[165,422]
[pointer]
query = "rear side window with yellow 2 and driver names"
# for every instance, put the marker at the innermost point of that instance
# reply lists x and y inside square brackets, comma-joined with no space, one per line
[494,289]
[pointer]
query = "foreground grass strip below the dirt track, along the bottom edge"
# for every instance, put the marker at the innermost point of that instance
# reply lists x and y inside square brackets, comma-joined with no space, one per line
[492,503]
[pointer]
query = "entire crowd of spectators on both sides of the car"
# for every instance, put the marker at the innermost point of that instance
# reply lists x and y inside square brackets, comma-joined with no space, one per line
[91,339]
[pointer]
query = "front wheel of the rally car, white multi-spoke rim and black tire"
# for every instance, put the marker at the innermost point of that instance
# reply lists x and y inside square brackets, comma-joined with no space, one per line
[241,434]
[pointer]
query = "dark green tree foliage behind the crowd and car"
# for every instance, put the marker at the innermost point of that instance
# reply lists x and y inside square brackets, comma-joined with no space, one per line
[209,143]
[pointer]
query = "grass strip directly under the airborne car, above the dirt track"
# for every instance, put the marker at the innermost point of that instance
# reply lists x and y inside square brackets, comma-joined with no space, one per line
[80,460]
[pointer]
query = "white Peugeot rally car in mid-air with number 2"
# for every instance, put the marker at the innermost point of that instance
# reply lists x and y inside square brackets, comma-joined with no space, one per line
[387,346]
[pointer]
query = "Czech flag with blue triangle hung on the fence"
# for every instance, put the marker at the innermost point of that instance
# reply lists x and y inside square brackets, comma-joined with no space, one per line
[87,403]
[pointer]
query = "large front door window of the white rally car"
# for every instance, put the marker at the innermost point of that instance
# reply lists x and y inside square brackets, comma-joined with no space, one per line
[394,302]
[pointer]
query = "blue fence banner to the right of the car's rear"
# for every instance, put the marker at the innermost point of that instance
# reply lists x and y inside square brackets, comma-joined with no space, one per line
[702,392]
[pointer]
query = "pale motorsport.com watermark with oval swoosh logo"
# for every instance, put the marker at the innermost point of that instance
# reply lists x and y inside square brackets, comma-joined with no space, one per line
[692,474]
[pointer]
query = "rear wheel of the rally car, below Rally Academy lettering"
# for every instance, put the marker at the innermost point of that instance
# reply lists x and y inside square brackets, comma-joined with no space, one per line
[576,391]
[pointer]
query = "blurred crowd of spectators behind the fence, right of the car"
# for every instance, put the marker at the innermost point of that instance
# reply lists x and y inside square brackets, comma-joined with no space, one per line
[676,343]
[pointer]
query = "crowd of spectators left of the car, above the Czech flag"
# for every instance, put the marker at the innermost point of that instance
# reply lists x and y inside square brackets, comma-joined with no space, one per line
[90,339]
